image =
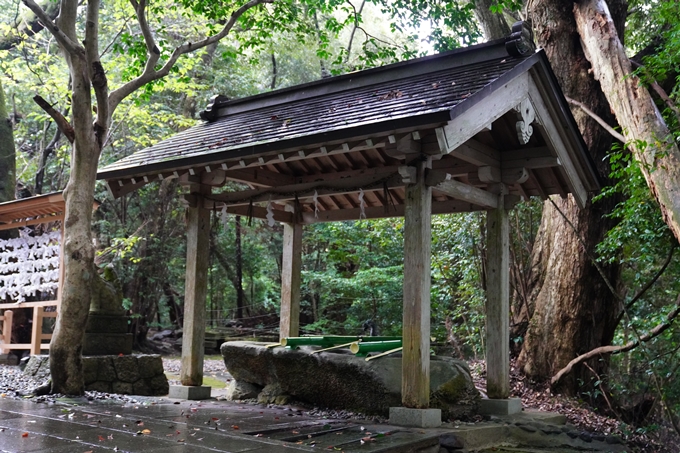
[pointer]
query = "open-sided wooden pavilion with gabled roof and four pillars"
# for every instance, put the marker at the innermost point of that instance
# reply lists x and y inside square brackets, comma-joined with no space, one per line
[477,128]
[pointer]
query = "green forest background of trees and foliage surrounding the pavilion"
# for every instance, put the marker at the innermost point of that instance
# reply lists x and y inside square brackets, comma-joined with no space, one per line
[605,276]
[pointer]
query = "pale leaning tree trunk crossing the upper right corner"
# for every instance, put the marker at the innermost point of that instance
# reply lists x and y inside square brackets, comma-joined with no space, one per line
[633,106]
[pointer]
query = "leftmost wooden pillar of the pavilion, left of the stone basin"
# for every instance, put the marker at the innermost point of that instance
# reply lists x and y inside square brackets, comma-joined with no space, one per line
[195,289]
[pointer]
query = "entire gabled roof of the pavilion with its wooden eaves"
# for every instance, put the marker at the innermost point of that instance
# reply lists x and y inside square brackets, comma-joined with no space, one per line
[352,133]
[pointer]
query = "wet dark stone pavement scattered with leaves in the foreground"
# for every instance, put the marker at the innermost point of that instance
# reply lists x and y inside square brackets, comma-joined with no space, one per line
[174,426]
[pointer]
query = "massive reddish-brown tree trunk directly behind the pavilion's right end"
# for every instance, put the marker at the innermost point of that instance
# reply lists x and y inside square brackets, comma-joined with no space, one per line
[570,297]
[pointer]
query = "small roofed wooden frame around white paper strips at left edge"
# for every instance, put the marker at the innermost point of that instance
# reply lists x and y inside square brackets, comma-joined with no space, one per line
[21,213]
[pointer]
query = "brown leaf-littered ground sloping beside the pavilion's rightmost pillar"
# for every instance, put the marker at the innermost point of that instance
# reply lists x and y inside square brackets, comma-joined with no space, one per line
[647,439]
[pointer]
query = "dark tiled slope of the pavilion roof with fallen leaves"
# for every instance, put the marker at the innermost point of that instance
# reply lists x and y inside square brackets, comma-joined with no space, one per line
[421,97]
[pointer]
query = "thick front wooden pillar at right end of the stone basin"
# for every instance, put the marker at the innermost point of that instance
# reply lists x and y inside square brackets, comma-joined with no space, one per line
[415,381]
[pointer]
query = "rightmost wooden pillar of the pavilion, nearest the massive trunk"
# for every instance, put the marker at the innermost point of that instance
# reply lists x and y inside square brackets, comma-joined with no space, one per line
[498,302]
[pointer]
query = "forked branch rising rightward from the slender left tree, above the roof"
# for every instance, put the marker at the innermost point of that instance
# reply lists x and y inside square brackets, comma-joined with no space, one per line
[150,74]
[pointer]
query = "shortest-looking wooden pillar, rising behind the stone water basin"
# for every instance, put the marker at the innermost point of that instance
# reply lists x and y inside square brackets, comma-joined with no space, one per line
[291,269]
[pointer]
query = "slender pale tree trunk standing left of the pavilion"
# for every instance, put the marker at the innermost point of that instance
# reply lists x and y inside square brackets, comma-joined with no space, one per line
[79,269]
